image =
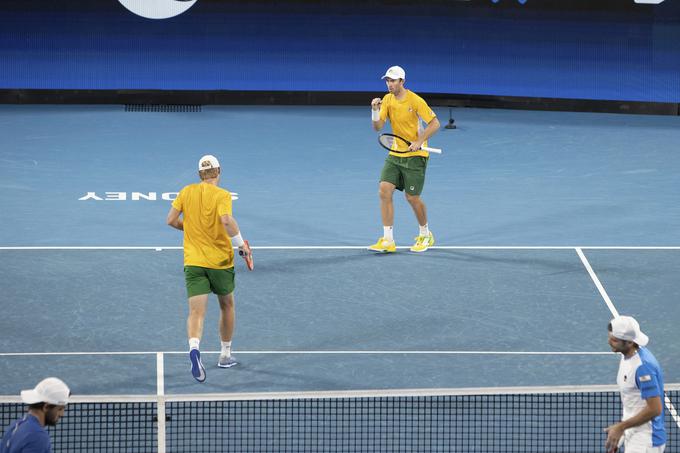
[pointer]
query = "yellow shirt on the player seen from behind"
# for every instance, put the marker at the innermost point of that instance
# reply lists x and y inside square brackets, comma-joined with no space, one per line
[206,243]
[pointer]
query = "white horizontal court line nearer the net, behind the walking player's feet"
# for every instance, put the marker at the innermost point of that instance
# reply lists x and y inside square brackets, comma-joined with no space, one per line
[329,352]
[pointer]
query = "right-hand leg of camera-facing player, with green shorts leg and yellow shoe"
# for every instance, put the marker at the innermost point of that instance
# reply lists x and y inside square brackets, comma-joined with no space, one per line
[414,181]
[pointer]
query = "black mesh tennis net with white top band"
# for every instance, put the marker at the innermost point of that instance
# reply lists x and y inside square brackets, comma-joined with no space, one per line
[526,420]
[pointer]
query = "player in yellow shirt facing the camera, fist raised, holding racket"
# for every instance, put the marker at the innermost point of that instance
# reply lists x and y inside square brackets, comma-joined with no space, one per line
[404,171]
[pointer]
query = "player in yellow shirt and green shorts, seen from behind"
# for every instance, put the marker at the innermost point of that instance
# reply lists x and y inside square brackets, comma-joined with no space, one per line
[203,212]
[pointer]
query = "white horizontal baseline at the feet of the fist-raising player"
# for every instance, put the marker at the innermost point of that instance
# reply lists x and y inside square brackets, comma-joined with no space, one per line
[359,247]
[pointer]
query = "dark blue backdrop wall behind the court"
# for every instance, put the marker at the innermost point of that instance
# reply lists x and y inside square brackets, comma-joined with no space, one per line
[629,52]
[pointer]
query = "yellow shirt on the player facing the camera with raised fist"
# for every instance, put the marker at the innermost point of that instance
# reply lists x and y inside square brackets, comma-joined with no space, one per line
[405,116]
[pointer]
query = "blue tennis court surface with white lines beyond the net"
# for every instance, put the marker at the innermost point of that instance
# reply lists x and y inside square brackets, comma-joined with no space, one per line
[546,224]
